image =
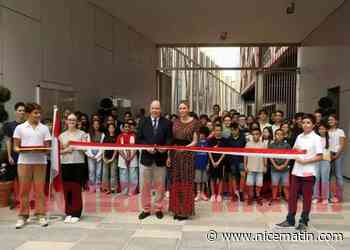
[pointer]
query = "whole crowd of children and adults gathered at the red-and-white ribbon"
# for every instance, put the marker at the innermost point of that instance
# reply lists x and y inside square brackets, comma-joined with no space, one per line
[184,176]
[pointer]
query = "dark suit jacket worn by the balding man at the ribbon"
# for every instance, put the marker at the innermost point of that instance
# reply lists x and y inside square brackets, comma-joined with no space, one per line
[145,135]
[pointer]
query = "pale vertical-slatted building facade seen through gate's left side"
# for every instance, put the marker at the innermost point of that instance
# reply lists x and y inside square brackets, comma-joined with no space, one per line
[187,69]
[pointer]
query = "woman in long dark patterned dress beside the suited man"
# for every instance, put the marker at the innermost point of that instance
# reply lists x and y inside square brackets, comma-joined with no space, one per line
[185,133]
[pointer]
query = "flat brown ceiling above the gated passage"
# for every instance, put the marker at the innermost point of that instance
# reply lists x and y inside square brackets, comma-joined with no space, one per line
[202,21]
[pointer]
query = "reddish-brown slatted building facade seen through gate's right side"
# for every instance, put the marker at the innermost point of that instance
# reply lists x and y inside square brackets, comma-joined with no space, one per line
[272,85]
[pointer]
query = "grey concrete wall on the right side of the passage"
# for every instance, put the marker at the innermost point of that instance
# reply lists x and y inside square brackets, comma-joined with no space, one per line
[324,61]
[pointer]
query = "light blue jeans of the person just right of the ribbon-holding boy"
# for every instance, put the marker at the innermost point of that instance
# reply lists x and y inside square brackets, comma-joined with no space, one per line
[322,177]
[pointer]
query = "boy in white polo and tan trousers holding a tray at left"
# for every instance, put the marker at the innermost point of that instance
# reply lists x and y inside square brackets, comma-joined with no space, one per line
[32,164]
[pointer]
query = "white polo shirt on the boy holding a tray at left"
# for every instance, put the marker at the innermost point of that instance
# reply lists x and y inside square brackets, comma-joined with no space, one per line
[31,137]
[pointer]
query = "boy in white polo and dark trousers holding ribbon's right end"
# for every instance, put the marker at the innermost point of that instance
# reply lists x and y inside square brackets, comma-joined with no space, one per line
[303,174]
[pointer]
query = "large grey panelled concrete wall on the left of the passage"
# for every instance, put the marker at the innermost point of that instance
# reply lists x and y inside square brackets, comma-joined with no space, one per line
[73,44]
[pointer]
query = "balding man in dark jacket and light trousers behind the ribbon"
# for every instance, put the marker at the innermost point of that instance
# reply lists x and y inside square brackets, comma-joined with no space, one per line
[154,130]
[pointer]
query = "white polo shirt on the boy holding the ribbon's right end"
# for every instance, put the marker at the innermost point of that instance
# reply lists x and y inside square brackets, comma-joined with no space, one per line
[312,143]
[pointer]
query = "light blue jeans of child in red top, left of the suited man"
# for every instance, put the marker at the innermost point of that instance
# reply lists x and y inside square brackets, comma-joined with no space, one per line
[128,180]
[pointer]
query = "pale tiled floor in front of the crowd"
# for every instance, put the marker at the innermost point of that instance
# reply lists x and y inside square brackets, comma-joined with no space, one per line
[113,224]
